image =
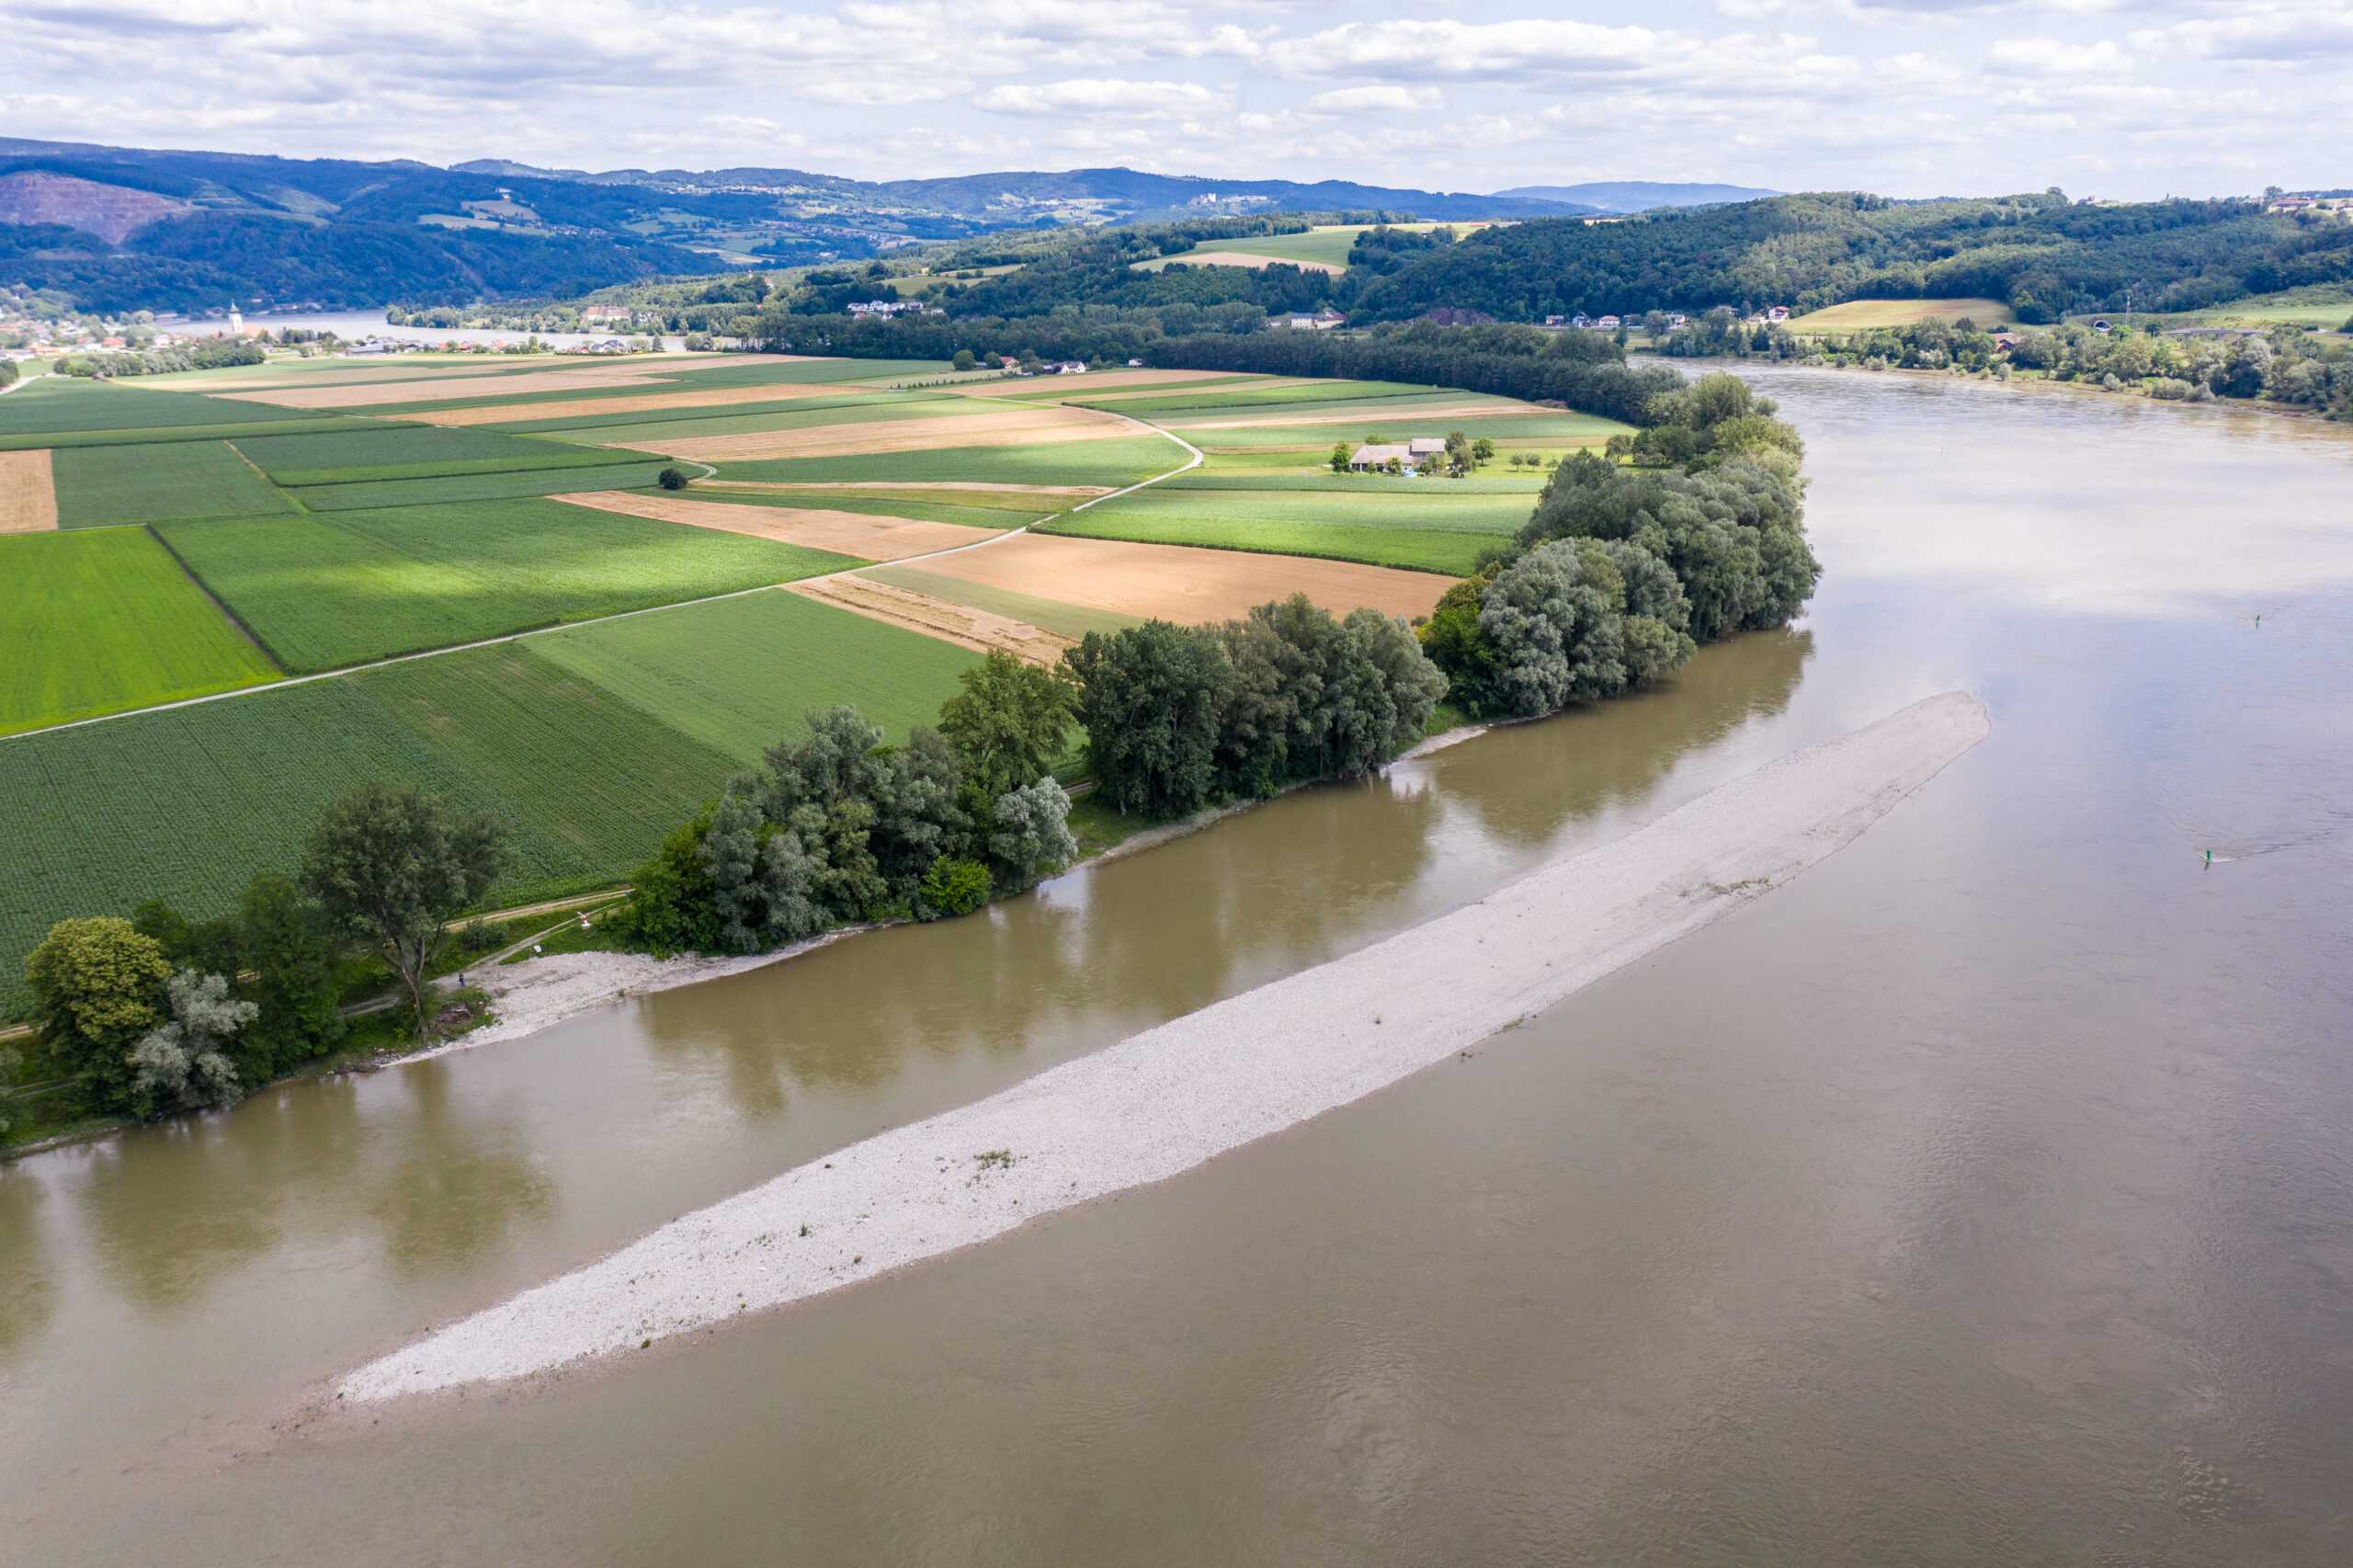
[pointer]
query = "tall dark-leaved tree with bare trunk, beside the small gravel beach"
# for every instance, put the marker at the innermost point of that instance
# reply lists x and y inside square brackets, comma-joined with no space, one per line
[394,868]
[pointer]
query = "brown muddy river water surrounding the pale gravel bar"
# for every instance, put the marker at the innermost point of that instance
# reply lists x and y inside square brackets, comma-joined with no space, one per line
[1985,1197]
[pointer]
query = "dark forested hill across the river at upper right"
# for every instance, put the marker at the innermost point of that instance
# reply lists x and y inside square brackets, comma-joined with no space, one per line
[2041,253]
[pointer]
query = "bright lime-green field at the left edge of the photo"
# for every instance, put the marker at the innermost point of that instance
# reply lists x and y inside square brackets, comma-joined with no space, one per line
[105,620]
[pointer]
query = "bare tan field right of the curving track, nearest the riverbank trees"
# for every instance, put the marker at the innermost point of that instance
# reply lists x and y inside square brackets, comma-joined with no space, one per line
[1185,585]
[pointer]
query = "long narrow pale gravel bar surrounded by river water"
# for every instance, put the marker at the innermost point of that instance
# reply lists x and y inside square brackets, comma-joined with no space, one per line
[1175,1096]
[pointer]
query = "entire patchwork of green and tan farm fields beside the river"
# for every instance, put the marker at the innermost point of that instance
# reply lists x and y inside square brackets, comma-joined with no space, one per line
[326,514]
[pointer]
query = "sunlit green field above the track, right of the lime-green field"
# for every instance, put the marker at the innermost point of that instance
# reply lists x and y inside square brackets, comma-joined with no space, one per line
[368,585]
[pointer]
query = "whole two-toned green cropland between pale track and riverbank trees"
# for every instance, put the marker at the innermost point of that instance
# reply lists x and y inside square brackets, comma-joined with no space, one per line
[189,804]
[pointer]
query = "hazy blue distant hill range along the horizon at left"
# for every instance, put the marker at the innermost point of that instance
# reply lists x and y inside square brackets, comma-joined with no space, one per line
[192,232]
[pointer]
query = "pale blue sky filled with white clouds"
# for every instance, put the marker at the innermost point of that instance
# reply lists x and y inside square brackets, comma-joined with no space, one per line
[1905,98]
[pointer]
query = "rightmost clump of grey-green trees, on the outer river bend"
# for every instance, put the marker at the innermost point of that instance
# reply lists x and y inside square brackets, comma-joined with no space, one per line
[1627,569]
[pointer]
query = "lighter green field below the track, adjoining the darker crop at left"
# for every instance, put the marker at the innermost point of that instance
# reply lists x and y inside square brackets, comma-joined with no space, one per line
[745,672]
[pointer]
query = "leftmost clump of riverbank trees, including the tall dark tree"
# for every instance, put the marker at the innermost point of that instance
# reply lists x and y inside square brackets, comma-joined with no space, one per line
[161,1014]
